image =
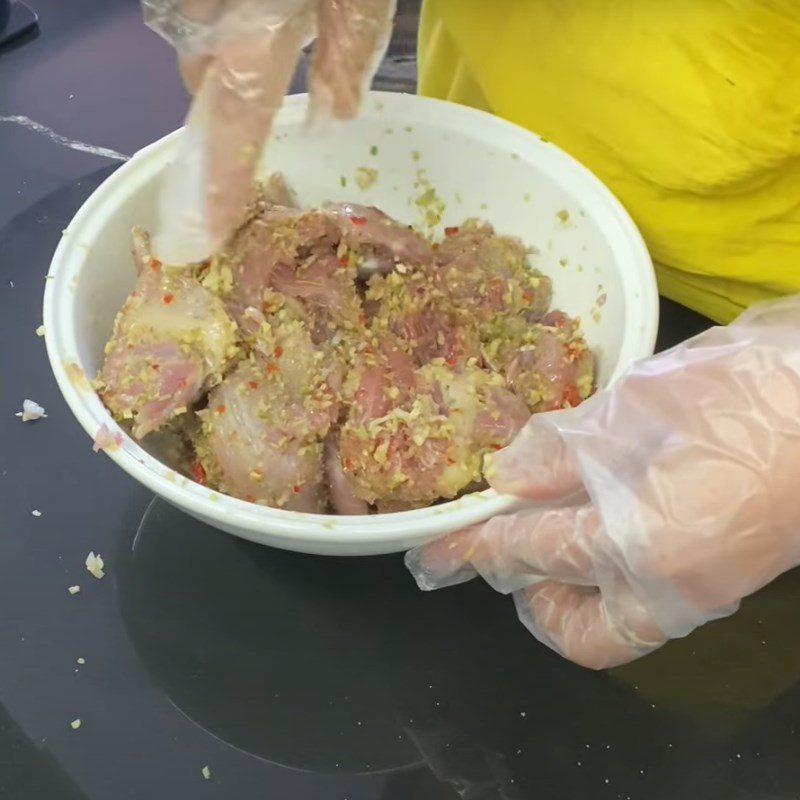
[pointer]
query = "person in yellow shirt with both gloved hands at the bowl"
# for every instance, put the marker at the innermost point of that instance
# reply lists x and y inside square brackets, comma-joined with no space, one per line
[664,500]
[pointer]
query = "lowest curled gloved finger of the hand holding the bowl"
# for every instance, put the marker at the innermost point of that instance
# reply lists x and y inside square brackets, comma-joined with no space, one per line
[575,622]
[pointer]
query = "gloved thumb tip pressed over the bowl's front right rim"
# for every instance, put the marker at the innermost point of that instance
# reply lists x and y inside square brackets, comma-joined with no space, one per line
[537,466]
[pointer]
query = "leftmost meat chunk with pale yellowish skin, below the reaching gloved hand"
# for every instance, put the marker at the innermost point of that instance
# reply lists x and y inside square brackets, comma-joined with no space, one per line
[172,340]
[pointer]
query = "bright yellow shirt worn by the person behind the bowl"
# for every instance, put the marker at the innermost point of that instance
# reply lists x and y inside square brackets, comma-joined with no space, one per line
[689,110]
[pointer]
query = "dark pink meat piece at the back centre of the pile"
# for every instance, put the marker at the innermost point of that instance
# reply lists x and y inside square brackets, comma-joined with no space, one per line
[377,241]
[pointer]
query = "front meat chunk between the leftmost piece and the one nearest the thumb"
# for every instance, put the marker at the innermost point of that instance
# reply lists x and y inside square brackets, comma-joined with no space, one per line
[261,436]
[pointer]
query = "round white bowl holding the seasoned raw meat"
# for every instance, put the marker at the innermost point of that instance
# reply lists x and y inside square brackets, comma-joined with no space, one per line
[478,165]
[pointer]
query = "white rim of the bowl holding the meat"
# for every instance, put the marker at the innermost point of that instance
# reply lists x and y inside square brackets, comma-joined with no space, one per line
[262,523]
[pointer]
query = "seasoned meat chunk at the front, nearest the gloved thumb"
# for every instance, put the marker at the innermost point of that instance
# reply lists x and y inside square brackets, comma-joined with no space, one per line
[410,445]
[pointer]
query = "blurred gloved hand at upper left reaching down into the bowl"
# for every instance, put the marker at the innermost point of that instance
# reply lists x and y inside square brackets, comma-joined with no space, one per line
[237,57]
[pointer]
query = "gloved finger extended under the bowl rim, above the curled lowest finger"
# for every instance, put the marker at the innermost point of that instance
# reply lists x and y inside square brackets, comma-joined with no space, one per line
[513,551]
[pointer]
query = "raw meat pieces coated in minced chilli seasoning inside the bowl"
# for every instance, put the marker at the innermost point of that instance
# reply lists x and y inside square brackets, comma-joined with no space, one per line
[335,358]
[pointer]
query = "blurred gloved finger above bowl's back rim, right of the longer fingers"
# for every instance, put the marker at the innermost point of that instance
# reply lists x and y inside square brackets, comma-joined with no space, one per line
[353,37]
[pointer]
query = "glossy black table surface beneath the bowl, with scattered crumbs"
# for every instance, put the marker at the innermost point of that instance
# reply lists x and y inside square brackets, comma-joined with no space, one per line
[291,676]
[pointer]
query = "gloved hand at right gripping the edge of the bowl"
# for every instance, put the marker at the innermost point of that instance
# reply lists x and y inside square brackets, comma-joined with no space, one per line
[661,502]
